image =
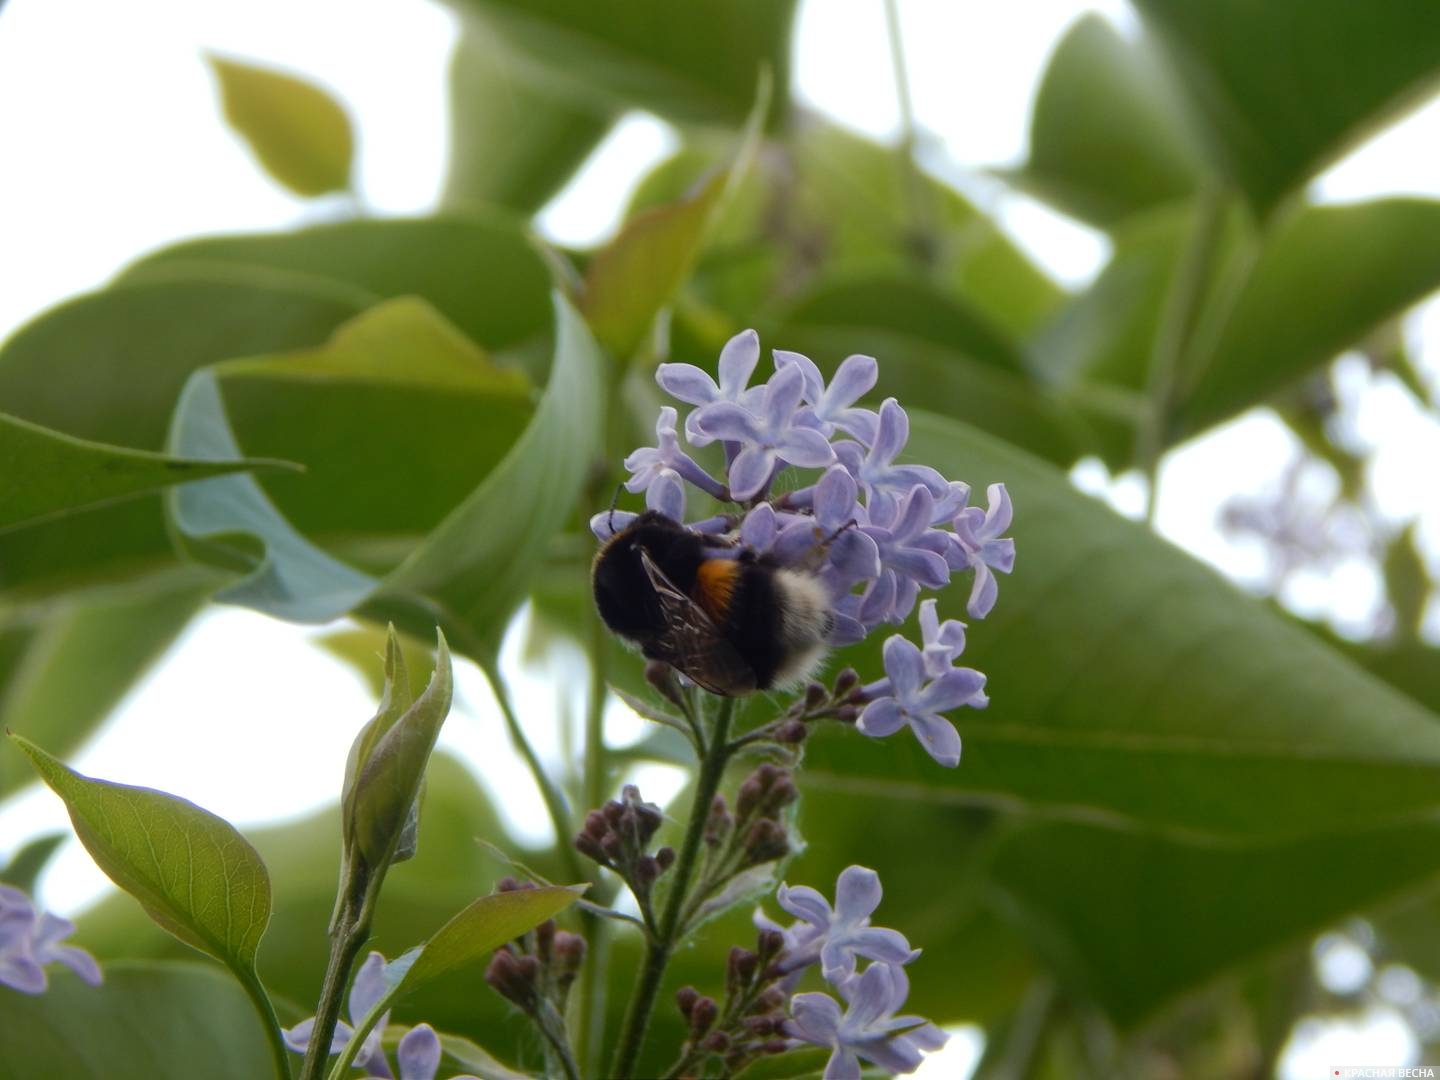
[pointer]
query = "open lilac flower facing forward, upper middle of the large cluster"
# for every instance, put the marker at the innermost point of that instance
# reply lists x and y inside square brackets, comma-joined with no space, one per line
[768,434]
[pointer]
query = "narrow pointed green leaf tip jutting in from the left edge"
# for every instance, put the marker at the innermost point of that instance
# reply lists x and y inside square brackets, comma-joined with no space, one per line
[48,474]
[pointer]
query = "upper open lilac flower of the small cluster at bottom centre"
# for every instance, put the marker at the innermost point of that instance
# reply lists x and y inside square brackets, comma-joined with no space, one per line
[837,937]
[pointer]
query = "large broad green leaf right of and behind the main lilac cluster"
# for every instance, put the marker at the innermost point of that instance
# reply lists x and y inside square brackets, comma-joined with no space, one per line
[1131,685]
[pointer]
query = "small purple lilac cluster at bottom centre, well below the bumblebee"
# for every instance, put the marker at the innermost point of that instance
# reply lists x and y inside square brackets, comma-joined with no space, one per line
[868,1027]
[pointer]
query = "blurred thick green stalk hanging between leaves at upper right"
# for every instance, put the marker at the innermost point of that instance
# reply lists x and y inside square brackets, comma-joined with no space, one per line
[1173,341]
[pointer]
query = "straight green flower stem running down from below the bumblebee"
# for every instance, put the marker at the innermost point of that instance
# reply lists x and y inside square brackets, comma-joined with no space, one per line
[660,948]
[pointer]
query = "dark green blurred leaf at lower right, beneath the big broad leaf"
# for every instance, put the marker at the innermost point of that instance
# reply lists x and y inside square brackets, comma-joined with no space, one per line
[1134,921]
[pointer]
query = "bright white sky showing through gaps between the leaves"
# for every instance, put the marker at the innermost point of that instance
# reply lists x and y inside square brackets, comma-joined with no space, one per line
[114,148]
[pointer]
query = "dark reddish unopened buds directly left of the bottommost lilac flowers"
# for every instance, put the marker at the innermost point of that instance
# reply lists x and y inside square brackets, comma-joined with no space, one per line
[751,1025]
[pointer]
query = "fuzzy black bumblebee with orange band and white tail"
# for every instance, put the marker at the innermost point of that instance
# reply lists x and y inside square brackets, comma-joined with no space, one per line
[729,620]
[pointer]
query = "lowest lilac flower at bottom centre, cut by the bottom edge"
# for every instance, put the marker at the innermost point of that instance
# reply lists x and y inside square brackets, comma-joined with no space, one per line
[869,1027]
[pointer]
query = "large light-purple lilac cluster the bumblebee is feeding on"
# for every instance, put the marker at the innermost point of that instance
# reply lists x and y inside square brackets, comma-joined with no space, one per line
[875,532]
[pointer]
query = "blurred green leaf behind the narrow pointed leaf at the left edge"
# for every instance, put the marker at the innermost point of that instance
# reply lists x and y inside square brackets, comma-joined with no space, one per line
[110,366]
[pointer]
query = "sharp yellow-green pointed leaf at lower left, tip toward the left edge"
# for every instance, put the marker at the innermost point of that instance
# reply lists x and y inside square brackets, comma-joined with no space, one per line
[191,870]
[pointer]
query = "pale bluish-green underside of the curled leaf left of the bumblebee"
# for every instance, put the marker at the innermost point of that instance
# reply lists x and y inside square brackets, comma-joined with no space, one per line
[473,567]
